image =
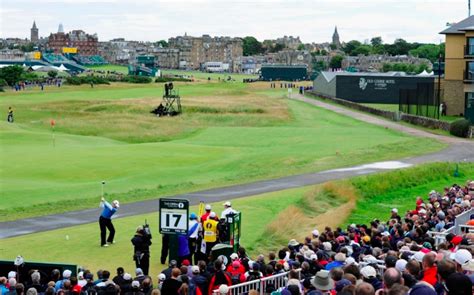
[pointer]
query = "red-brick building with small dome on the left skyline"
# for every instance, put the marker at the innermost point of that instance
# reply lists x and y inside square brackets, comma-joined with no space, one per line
[86,44]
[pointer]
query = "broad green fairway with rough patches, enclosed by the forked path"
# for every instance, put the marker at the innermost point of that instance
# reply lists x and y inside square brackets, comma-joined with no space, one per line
[229,133]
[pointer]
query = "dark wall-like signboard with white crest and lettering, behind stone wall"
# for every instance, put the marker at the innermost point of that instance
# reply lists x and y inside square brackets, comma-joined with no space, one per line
[375,88]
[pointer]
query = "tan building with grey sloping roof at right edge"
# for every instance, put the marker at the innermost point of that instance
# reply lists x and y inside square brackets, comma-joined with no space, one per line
[459,68]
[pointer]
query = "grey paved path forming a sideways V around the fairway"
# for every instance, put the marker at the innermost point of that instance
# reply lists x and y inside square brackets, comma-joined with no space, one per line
[459,150]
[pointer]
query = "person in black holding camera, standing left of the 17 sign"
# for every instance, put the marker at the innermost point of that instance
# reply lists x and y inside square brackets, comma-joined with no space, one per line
[141,243]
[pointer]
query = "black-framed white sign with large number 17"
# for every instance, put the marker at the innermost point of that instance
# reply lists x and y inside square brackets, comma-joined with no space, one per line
[174,216]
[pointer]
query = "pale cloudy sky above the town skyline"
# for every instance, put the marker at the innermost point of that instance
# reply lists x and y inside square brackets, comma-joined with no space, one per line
[311,20]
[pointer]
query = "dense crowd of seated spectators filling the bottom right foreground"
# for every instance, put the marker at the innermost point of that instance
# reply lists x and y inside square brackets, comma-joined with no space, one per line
[398,256]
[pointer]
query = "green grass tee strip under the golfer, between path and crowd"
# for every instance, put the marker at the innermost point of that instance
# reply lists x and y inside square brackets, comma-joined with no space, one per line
[80,244]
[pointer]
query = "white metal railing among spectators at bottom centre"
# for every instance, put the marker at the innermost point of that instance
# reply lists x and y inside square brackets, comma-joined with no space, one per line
[276,281]
